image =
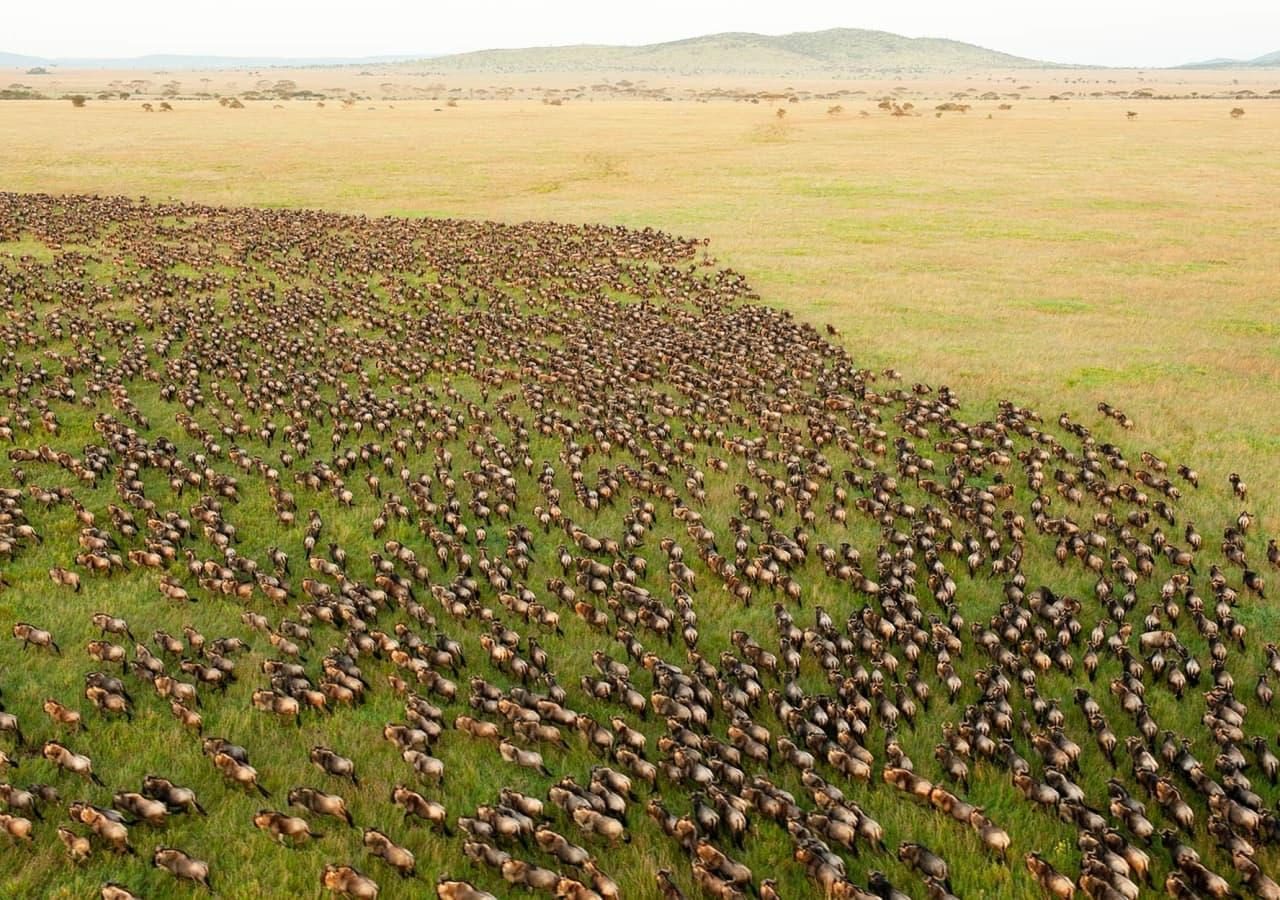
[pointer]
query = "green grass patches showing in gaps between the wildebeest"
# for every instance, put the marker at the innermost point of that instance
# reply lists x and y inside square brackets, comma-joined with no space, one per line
[248,864]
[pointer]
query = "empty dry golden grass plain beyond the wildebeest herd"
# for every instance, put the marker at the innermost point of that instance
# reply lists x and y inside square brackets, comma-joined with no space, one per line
[1055,253]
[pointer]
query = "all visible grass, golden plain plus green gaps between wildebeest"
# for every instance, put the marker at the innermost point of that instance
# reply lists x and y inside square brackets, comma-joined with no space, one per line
[1055,285]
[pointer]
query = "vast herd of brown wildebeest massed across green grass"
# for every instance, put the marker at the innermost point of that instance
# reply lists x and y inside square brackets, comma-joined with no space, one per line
[666,595]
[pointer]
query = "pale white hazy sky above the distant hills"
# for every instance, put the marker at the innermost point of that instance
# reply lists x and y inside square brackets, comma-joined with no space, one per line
[1114,33]
